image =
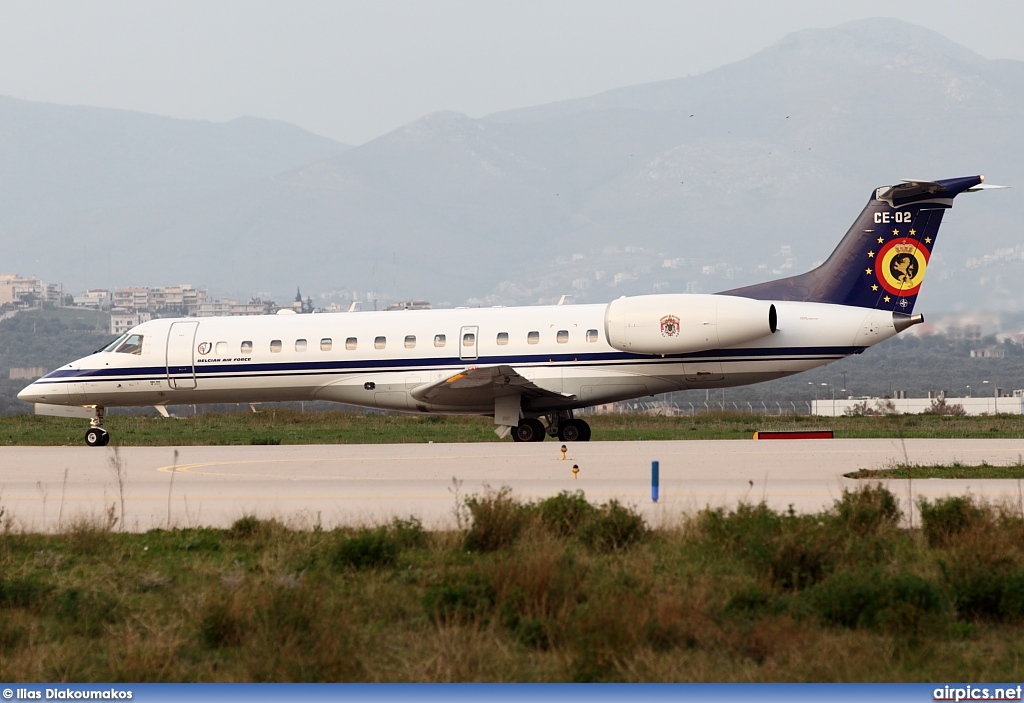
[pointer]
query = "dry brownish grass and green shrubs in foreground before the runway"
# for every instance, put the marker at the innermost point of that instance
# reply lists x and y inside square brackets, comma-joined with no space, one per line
[748,595]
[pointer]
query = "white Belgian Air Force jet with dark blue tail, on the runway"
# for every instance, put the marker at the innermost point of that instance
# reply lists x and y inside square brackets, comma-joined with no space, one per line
[530,368]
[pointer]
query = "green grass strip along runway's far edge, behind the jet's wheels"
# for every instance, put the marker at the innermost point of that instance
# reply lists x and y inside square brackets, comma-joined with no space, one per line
[285,426]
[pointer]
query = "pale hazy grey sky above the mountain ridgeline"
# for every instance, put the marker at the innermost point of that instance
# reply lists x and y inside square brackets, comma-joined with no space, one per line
[354,71]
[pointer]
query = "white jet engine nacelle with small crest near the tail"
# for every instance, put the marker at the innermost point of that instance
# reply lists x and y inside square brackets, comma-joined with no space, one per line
[680,324]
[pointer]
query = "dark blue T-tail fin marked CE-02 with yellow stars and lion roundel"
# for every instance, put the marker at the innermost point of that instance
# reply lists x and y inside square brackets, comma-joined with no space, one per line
[882,261]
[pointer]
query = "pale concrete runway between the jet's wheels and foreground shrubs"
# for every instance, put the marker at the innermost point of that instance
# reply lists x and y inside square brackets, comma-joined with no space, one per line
[354,485]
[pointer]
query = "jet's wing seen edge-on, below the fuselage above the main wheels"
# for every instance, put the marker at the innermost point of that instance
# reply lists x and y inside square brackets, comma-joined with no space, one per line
[481,386]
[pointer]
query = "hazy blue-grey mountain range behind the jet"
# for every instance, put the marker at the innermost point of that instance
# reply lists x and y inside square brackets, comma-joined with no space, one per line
[701,184]
